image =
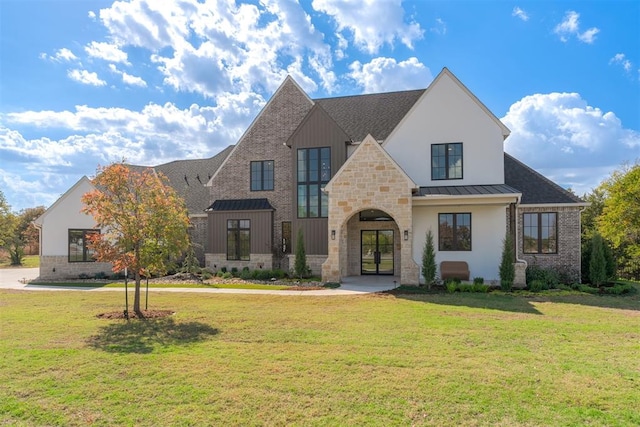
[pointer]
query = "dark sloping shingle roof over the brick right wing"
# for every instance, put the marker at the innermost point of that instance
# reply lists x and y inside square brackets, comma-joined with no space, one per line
[535,188]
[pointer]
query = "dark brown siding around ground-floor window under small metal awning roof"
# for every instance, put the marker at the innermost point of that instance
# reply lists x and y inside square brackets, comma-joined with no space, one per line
[261,230]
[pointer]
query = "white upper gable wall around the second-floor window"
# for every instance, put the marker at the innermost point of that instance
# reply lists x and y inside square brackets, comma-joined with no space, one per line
[448,113]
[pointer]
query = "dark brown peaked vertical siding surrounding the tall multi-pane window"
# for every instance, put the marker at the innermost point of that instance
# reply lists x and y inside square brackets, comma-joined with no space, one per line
[317,130]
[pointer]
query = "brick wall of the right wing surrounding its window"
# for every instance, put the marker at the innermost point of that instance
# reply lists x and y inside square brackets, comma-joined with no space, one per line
[568,258]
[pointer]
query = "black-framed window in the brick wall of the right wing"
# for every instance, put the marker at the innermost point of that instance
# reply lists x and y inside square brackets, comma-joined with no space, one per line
[540,235]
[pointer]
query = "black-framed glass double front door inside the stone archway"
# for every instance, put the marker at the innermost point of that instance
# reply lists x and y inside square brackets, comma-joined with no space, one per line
[377,252]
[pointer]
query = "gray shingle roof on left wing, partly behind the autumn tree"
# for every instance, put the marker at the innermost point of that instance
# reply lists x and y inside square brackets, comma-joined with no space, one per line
[188,177]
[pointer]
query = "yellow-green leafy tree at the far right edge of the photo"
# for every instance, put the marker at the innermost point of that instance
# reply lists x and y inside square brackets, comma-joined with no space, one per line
[619,222]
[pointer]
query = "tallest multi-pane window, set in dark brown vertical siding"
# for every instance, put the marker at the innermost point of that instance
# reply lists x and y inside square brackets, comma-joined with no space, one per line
[314,172]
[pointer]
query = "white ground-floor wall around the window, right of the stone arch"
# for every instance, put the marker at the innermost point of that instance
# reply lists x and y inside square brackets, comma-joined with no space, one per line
[488,227]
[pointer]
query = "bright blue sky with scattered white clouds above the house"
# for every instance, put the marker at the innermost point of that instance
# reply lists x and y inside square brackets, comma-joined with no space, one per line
[86,83]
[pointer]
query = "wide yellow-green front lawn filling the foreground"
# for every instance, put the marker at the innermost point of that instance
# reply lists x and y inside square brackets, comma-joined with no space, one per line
[439,359]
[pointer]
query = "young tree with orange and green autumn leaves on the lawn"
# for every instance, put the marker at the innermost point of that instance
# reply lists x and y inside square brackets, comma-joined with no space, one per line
[143,221]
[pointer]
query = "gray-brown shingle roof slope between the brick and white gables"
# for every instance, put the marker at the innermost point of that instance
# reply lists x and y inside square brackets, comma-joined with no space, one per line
[377,114]
